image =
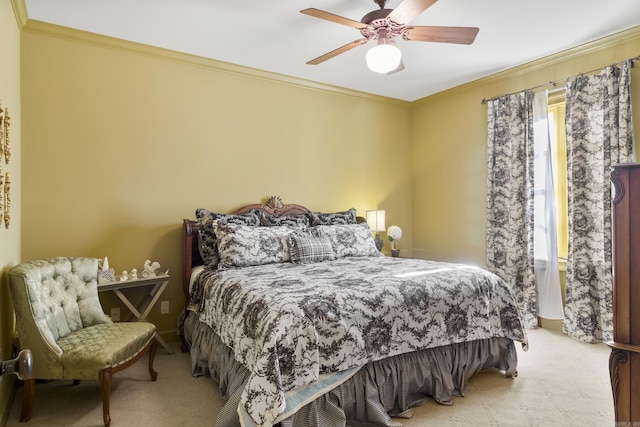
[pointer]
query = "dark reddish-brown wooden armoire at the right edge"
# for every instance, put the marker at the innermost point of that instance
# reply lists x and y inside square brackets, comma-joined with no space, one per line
[624,362]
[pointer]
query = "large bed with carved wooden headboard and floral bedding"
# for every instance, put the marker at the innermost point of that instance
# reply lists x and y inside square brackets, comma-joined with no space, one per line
[302,322]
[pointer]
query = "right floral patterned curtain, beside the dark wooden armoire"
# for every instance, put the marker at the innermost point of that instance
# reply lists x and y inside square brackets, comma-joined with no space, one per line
[599,134]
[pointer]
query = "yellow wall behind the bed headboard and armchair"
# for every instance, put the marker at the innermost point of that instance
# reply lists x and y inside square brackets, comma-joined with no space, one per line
[121,142]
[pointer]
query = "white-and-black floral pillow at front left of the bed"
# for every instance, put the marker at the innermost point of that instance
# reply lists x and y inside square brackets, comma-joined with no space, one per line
[243,246]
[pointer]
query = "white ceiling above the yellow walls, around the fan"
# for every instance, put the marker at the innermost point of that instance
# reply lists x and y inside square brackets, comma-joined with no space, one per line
[273,36]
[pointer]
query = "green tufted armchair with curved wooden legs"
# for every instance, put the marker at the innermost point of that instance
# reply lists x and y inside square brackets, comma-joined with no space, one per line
[60,319]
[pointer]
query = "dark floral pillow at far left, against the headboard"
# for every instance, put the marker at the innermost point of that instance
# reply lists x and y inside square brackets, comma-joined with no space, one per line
[206,236]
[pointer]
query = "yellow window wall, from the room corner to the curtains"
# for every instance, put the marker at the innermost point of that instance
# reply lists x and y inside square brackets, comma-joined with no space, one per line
[448,146]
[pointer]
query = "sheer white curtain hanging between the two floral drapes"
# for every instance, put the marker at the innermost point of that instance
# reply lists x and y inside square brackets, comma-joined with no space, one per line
[545,236]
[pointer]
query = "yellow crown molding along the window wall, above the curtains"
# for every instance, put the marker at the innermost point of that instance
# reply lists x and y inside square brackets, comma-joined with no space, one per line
[627,36]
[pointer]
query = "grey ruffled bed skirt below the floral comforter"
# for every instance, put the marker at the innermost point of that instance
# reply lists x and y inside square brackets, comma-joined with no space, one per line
[374,395]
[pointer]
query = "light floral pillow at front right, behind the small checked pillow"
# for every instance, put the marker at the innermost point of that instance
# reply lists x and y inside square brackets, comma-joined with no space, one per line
[349,239]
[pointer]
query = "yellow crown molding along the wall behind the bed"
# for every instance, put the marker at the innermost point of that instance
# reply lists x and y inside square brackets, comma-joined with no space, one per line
[80,36]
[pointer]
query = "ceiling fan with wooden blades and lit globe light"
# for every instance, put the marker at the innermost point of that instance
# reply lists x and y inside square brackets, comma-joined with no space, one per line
[384,25]
